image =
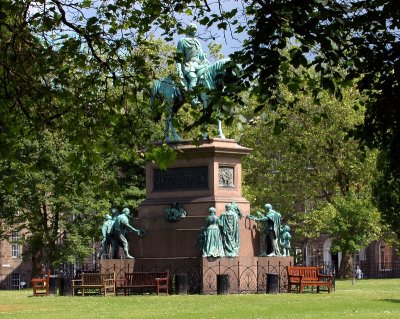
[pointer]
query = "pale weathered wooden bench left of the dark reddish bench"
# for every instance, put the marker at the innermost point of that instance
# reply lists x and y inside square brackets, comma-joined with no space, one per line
[104,282]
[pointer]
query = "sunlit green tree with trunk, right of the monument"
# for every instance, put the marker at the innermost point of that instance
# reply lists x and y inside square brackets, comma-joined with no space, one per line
[305,165]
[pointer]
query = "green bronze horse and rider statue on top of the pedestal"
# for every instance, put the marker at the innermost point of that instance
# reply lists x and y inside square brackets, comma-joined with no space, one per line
[193,70]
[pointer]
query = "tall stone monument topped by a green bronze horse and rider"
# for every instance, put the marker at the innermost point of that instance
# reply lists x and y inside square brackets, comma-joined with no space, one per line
[195,199]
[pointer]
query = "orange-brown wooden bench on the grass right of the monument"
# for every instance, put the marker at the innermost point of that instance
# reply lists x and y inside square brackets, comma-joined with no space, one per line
[308,276]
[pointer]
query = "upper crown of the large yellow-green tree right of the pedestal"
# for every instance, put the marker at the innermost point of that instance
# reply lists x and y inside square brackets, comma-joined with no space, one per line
[303,154]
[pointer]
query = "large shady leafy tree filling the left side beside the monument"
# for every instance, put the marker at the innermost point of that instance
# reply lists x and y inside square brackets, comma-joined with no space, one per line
[72,137]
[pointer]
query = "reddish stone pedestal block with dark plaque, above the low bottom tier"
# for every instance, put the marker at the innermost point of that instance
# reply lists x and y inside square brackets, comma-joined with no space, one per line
[204,176]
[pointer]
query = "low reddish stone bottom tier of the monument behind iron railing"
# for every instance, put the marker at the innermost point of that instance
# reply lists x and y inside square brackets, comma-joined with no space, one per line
[245,274]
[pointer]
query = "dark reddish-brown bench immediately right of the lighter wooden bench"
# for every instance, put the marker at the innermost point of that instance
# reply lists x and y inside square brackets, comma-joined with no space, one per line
[158,281]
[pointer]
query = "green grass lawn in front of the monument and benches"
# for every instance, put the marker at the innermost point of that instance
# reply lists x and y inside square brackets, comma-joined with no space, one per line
[366,299]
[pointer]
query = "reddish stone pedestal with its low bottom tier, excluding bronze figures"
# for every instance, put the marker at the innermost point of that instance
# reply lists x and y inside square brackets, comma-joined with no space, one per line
[204,176]
